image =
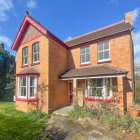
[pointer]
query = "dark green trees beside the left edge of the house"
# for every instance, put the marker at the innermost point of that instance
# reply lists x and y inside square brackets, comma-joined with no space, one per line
[7,70]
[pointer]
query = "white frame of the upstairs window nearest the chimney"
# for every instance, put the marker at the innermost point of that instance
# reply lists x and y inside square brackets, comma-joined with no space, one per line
[108,59]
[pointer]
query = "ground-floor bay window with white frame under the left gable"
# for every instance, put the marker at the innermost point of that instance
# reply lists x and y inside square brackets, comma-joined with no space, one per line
[27,87]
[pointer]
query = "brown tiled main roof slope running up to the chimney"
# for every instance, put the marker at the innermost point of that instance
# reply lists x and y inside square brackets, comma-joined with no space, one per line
[103,32]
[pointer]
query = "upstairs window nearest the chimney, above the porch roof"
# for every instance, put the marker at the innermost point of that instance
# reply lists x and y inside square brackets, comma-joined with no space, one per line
[103,51]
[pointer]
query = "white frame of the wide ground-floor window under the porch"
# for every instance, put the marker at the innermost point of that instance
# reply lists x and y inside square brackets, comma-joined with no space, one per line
[104,91]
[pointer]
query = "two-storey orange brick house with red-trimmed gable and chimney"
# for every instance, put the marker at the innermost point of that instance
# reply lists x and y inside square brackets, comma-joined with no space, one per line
[94,62]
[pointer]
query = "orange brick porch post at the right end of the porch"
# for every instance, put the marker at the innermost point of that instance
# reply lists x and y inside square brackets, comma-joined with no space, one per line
[121,95]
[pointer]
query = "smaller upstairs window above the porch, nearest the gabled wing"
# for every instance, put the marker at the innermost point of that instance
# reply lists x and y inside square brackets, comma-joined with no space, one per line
[85,55]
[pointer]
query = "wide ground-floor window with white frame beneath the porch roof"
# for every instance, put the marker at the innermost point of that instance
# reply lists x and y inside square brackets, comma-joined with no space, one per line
[100,88]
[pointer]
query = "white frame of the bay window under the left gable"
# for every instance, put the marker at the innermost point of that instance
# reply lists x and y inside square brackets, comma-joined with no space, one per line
[28,87]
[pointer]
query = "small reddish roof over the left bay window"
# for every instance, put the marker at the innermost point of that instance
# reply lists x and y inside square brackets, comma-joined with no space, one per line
[29,71]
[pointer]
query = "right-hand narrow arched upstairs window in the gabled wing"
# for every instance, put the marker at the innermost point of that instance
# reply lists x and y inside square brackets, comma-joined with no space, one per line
[35,52]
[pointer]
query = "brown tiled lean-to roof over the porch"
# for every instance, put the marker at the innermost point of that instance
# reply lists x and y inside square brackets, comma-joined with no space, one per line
[97,70]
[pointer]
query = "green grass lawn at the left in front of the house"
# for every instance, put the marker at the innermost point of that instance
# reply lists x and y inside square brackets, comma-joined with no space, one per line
[17,125]
